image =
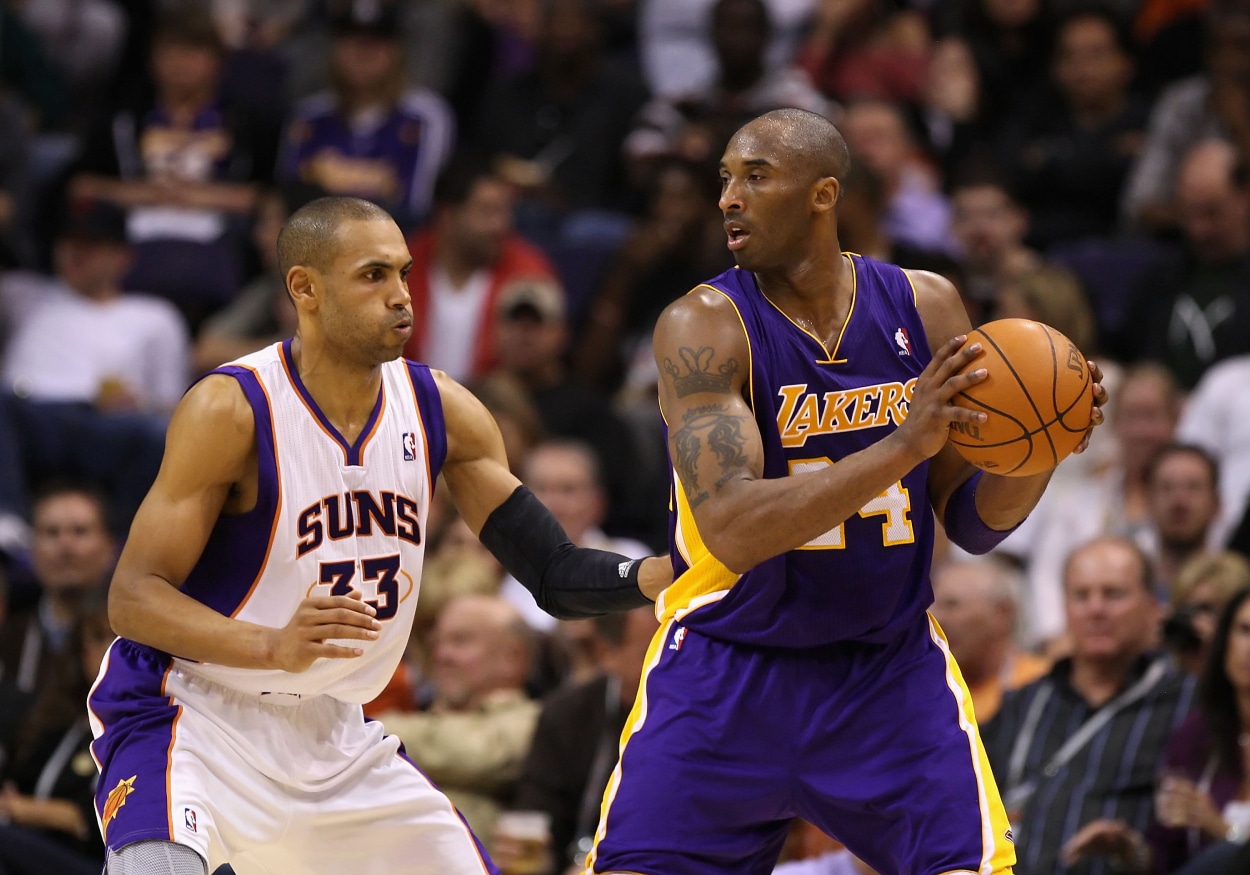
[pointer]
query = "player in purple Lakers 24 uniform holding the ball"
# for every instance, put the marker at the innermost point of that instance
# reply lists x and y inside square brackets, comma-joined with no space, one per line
[797,673]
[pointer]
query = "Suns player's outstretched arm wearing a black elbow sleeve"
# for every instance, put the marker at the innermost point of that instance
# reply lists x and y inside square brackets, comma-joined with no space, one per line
[481,483]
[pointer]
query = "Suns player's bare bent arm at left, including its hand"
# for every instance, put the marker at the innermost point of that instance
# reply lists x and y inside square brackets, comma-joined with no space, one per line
[208,452]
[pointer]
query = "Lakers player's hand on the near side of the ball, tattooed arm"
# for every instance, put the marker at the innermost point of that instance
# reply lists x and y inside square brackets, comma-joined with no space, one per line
[932,411]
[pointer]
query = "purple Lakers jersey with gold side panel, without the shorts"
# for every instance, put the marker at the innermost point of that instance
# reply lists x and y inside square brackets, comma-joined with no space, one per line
[814,407]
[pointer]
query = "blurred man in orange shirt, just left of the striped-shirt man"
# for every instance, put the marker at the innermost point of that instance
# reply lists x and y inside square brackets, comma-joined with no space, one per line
[978,606]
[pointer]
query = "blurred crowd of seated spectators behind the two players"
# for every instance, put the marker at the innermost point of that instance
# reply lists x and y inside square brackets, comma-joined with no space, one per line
[553,164]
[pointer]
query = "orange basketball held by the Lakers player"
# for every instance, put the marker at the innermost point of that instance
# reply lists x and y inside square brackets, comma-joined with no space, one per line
[1039,398]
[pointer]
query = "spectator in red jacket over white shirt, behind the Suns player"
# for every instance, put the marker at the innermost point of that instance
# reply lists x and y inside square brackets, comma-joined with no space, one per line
[462,266]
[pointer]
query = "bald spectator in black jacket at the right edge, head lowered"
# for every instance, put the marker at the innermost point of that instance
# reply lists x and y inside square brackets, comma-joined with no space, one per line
[1197,312]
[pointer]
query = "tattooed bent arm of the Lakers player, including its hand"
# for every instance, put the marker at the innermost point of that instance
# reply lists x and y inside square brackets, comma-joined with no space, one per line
[718,452]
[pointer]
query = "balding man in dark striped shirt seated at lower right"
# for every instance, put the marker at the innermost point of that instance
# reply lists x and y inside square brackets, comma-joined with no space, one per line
[1084,743]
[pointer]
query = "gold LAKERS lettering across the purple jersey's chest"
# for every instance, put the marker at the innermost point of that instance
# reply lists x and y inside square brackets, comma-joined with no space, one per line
[804,414]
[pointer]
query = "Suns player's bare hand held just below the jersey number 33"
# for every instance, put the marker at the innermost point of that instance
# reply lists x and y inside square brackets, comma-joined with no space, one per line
[317,622]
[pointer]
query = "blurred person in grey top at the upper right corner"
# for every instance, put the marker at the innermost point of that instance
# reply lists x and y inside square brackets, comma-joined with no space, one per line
[1212,106]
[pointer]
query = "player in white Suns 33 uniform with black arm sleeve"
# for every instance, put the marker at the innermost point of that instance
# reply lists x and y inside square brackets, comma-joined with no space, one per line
[268,587]
